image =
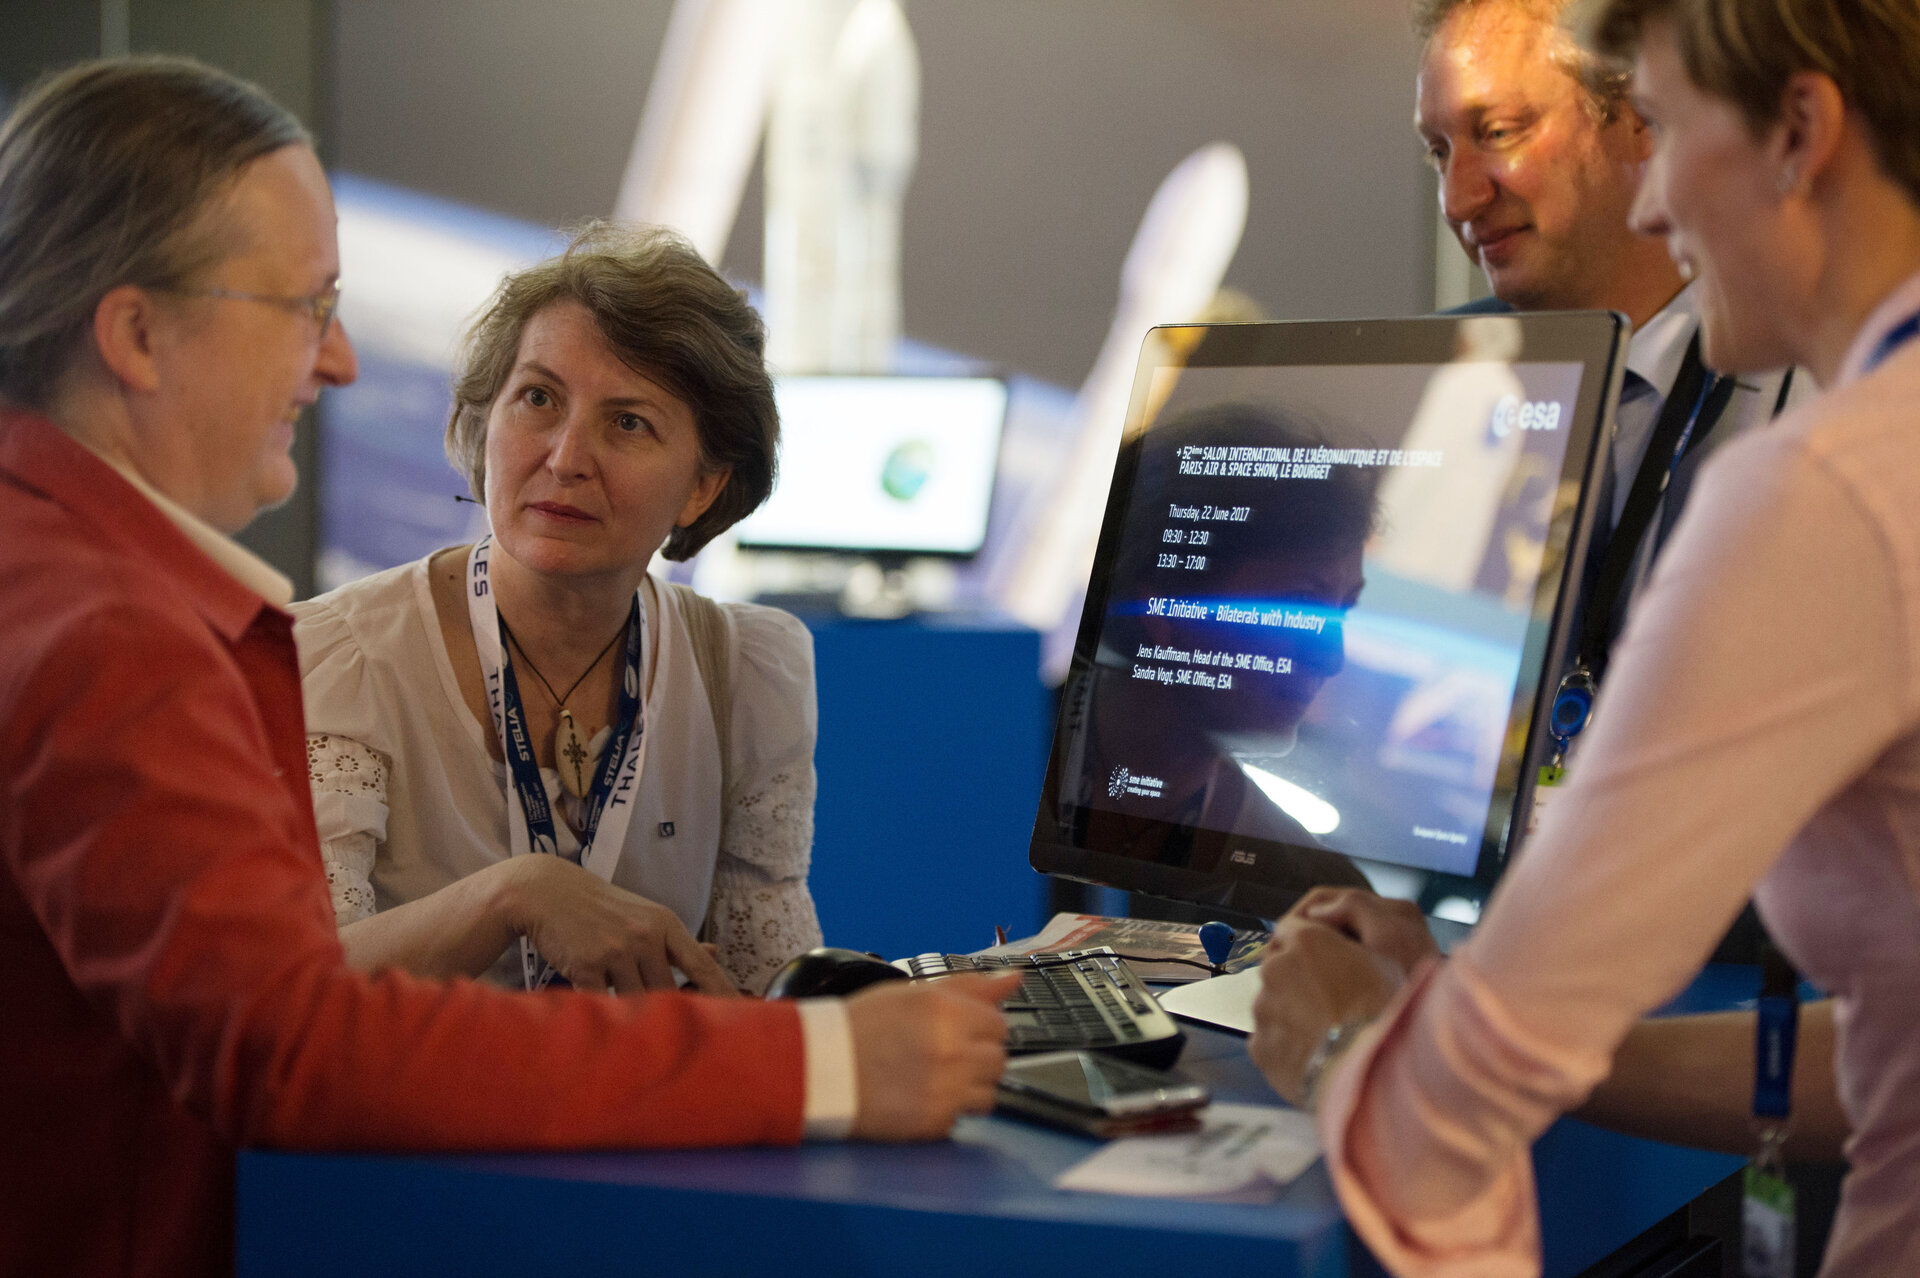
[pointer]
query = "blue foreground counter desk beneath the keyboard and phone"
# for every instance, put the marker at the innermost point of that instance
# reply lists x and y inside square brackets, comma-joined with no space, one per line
[972,1208]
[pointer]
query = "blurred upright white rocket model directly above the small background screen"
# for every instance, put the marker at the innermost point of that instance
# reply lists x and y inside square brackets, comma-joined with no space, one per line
[844,135]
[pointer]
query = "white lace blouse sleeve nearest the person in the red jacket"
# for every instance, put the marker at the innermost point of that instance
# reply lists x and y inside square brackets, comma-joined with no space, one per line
[347,772]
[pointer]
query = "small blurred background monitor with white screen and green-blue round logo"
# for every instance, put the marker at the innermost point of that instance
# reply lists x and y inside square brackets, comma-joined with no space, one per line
[882,465]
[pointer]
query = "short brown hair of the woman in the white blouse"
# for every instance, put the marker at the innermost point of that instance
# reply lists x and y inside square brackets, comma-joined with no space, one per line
[665,314]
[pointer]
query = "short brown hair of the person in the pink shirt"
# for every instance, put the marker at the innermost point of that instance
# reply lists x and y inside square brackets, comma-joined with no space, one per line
[1746,51]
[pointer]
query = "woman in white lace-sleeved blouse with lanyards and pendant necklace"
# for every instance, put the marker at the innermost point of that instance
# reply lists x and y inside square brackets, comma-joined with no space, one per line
[542,694]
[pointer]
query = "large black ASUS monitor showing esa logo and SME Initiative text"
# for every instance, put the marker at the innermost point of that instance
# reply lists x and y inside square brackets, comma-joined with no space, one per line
[1333,569]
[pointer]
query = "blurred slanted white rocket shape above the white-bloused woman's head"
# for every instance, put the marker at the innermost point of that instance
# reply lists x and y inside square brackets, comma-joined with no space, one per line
[704,116]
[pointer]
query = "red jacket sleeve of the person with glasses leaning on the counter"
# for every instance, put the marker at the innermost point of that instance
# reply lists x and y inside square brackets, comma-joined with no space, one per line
[178,878]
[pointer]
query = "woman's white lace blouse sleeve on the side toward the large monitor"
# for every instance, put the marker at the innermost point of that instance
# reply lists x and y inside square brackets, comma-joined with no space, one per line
[761,909]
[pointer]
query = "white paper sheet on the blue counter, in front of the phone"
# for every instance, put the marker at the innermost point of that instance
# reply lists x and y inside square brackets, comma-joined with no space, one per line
[1237,1148]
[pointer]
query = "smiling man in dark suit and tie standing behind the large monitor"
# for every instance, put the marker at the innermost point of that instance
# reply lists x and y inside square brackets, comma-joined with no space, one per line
[1539,156]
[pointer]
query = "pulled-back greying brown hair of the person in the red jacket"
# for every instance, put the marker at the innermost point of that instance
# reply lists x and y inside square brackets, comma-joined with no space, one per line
[105,174]
